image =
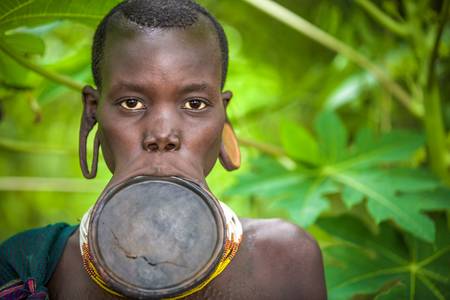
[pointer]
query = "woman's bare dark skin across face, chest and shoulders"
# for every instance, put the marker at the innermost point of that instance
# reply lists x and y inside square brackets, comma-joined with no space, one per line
[161,112]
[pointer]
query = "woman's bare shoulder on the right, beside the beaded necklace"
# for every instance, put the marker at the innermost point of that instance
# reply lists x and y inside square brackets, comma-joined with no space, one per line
[288,258]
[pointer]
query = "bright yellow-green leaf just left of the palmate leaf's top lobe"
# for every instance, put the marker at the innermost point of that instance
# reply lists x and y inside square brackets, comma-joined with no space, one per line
[298,143]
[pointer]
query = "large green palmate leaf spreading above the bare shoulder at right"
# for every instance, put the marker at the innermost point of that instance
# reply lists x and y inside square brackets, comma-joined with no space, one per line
[369,169]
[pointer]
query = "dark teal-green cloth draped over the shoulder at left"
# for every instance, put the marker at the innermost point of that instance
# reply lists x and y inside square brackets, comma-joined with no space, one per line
[33,254]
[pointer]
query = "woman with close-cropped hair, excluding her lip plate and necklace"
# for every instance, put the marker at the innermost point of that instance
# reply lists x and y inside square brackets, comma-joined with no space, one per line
[159,68]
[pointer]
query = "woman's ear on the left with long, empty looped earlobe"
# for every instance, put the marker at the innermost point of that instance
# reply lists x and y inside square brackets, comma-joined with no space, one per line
[88,121]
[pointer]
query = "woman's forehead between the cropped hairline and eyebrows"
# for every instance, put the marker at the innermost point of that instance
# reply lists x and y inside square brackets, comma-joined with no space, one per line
[173,56]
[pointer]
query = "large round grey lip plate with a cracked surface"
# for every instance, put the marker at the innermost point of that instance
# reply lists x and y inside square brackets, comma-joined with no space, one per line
[153,238]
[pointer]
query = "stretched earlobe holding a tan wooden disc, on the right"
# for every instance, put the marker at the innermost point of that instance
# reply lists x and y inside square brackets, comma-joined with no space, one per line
[230,155]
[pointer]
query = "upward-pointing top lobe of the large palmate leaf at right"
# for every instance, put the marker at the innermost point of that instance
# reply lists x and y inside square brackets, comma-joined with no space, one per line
[332,136]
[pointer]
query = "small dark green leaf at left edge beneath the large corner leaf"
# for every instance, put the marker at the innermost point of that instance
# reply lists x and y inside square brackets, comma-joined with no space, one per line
[25,43]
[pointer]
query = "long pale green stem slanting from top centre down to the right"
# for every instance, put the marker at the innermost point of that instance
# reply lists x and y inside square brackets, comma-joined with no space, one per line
[313,32]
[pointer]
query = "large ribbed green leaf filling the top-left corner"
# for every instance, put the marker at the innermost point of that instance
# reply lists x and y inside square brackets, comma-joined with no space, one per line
[16,13]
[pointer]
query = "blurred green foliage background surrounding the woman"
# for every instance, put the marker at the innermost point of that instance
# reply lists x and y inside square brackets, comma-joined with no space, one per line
[341,107]
